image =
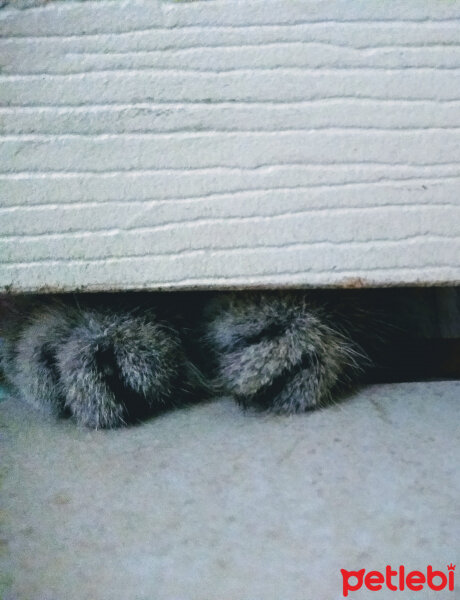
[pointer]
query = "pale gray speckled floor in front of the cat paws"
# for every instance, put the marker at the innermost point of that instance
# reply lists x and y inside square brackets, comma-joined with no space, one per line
[210,504]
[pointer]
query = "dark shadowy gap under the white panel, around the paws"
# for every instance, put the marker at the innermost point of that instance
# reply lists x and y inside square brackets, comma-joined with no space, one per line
[431,317]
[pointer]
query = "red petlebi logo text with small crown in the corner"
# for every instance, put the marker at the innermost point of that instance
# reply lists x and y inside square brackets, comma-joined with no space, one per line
[398,580]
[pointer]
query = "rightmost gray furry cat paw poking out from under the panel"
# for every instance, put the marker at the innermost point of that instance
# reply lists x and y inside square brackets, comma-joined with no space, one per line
[278,352]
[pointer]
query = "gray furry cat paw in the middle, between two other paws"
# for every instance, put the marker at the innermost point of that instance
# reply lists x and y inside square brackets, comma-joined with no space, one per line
[117,368]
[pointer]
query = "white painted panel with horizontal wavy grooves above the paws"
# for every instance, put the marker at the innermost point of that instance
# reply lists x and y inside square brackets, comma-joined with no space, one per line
[150,144]
